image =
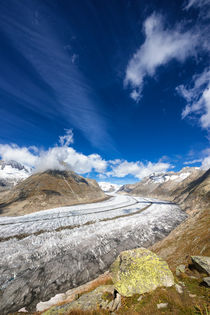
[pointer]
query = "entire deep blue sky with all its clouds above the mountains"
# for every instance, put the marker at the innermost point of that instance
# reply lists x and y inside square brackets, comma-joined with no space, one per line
[126,83]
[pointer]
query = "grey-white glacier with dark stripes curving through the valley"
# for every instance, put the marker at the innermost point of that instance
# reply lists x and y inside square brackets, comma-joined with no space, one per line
[38,266]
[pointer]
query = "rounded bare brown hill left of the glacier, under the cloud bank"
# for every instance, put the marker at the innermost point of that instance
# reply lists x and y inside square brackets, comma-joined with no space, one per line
[47,190]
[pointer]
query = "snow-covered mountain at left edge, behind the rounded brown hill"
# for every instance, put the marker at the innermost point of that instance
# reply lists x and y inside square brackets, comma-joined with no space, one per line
[11,173]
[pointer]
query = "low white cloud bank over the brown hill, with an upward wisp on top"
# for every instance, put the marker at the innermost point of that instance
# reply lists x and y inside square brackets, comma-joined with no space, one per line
[58,157]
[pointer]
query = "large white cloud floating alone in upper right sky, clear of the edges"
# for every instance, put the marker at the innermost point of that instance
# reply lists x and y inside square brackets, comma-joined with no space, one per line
[160,46]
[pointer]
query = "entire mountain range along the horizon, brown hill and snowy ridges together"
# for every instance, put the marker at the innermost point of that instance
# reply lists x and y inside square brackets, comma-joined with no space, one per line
[190,188]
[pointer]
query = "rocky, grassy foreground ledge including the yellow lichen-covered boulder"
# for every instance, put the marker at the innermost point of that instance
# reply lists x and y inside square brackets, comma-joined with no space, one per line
[140,282]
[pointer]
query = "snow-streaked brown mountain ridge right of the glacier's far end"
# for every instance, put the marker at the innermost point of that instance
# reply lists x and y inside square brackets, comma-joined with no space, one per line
[189,187]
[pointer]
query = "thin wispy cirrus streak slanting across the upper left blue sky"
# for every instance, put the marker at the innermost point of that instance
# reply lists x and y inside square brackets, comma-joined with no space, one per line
[51,83]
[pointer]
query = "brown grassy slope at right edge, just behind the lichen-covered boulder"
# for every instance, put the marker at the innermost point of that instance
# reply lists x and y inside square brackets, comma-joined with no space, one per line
[190,238]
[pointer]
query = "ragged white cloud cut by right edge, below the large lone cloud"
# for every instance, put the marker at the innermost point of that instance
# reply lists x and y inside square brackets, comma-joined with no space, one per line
[197,96]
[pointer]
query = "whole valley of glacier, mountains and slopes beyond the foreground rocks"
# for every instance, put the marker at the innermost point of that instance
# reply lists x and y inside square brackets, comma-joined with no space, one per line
[59,230]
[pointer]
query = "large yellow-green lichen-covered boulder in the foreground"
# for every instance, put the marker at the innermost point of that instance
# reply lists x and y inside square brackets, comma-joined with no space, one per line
[138,271]
